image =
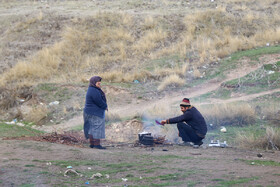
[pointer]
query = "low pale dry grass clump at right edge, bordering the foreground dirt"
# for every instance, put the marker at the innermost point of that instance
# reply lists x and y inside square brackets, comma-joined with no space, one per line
[271,139]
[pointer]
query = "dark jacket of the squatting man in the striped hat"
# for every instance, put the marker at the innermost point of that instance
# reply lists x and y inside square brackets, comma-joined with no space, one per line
[194,119]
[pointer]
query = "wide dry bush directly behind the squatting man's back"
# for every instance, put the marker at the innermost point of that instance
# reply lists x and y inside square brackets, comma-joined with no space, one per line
[235,114]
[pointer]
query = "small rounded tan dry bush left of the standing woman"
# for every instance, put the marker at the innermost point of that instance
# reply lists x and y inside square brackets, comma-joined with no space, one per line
[37,114]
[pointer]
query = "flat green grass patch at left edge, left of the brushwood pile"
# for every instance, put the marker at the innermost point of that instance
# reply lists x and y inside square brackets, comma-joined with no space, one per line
[7,130]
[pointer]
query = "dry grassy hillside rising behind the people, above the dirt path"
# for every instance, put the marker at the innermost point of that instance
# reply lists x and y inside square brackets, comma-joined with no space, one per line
[167,46]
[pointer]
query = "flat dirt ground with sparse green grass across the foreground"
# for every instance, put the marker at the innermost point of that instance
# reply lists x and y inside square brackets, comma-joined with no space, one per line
[31,163]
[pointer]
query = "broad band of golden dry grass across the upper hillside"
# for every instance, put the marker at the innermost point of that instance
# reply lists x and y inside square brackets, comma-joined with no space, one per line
[107,43]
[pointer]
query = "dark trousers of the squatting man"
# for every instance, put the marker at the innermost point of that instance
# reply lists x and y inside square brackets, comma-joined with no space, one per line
[187,133]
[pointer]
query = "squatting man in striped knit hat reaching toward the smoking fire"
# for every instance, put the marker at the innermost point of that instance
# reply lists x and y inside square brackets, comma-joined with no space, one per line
[191,124]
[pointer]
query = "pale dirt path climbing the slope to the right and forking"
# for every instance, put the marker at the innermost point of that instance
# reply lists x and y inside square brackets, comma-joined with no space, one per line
[129,110]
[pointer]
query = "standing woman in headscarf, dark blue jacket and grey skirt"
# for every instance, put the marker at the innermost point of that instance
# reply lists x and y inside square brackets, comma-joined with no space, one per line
[94,113]
